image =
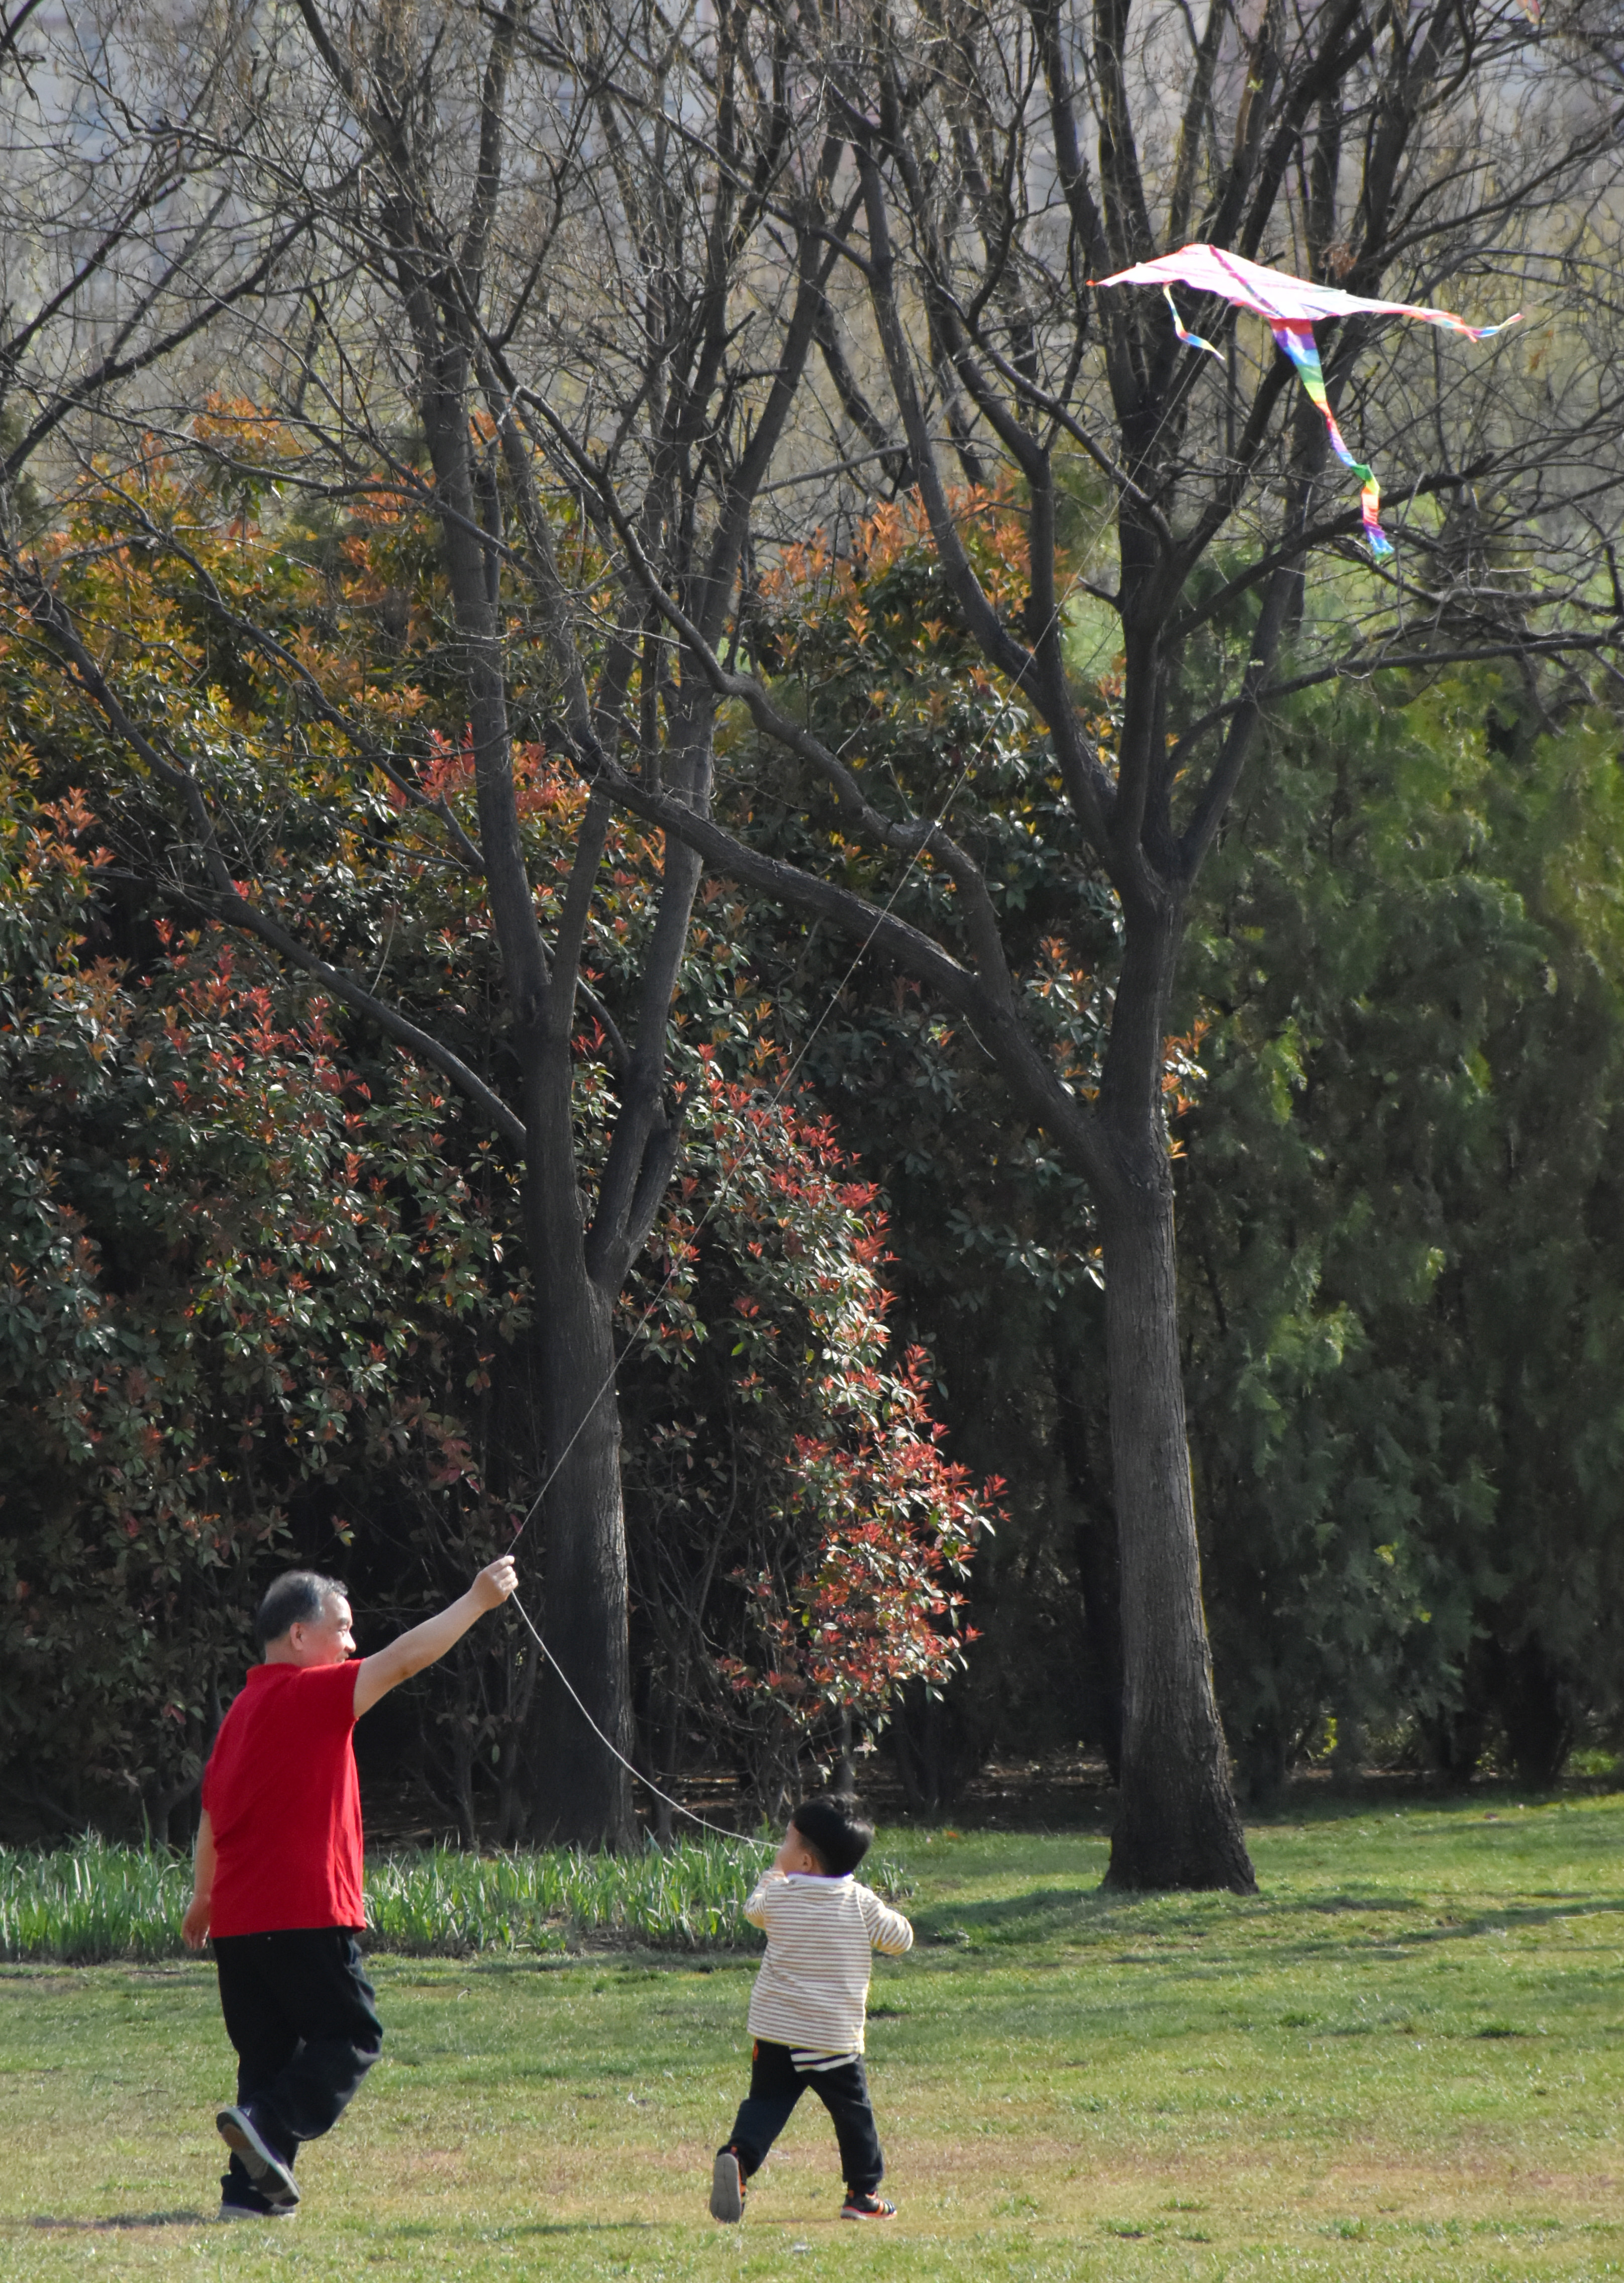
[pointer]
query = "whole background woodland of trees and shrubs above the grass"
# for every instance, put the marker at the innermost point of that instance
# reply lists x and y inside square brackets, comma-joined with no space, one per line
[460,453]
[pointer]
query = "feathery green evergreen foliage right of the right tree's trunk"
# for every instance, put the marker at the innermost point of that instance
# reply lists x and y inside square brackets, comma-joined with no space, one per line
[1401,1232]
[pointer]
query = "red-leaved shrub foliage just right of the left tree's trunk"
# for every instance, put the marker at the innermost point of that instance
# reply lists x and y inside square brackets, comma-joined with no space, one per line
[865,1524]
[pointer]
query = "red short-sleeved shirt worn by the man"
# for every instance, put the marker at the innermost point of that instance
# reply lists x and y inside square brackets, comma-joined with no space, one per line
[284,1802]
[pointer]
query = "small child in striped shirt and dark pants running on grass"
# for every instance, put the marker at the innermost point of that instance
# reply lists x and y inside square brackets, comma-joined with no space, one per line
[810,2001]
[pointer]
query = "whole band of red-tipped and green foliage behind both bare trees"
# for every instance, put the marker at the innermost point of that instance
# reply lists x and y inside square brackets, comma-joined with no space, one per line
[264,1300]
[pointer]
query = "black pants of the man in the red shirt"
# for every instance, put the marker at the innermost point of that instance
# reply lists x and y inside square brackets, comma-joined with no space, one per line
[300,2012]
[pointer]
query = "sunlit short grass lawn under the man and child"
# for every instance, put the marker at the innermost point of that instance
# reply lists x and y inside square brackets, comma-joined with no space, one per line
[1401,2060]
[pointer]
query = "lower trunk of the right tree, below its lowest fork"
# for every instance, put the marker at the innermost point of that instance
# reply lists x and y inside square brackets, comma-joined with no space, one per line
[1180,1823]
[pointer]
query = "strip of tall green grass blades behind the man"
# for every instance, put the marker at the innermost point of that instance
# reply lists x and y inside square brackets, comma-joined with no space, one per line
[93,1903]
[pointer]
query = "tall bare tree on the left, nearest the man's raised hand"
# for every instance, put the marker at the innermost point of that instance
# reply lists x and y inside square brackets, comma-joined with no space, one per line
[577,193]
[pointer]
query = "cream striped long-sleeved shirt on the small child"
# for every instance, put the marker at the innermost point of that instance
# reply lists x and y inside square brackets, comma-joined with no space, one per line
[812,1990]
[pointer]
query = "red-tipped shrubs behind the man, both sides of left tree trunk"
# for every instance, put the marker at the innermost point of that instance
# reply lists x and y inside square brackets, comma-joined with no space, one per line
[268,1293]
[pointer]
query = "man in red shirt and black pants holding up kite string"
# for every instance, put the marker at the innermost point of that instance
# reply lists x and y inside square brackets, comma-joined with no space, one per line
[280,1873]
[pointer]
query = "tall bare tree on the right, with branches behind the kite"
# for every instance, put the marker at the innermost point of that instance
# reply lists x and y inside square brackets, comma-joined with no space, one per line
[1004,156]
